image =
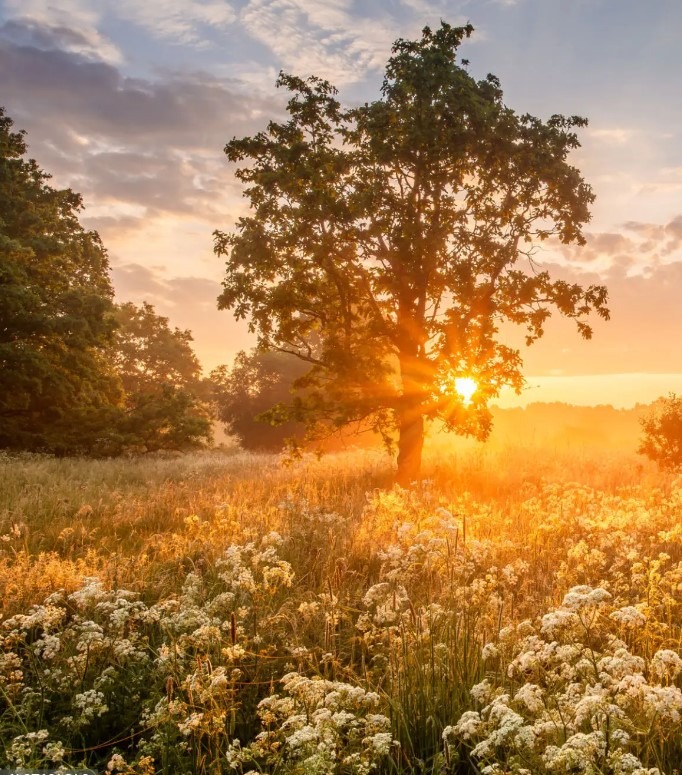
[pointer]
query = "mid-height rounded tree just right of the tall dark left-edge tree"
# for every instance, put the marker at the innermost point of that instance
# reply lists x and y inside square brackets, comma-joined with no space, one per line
[165,400]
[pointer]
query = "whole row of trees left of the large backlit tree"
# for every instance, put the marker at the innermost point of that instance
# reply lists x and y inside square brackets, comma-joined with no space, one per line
[83,375]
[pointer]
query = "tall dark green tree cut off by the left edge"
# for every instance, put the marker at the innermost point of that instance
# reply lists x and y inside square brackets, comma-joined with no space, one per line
[55,310]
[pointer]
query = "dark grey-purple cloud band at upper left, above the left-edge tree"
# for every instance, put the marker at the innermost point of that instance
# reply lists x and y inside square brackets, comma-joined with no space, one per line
[95,100]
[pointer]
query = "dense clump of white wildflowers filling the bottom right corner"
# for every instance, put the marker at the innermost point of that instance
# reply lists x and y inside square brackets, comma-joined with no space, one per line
[567,695]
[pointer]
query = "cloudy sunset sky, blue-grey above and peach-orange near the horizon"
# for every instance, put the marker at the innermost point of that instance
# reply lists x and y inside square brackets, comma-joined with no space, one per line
[131,102]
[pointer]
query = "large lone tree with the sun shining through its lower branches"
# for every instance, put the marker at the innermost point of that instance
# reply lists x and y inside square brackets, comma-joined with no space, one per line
[400,234]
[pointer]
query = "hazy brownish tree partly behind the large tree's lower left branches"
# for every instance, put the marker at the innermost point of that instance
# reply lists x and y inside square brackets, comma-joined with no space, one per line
[246,395]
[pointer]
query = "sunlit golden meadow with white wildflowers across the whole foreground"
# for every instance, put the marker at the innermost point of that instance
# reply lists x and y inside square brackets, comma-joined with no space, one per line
[520,611]
